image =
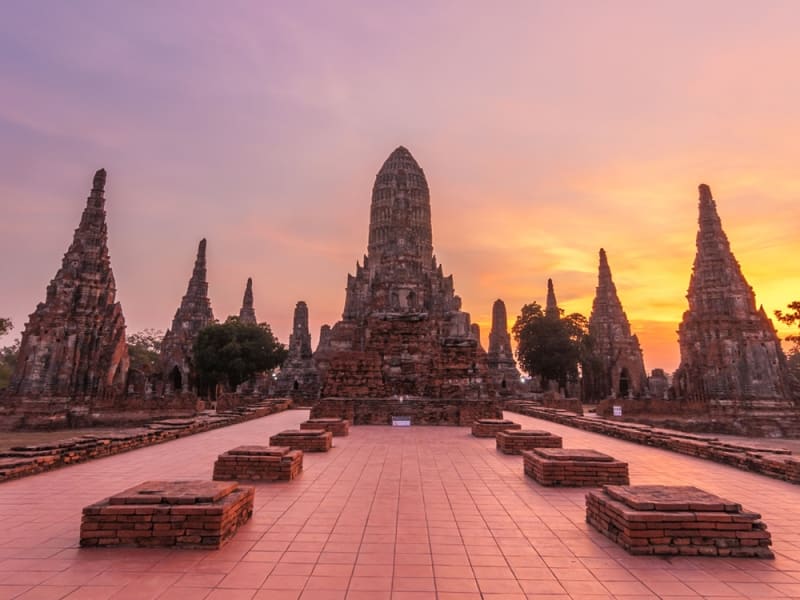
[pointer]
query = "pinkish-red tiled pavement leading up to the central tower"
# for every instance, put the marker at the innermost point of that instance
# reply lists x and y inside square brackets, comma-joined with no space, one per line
[404,513]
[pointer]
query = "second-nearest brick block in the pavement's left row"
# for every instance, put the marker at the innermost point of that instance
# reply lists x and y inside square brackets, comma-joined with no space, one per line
[259,463]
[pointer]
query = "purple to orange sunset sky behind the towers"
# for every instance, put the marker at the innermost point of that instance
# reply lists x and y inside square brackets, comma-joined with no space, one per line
[547,130]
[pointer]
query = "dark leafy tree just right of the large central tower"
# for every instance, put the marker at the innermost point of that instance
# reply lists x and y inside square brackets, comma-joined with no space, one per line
[550,347]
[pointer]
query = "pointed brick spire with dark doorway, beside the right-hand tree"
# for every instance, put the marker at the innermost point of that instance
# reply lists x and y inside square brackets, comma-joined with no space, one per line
[620,366]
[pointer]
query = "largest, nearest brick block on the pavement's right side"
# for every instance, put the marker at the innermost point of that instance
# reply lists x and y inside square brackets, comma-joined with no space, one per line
[659,519]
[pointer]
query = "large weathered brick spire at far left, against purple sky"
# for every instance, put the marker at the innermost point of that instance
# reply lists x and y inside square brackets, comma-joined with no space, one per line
[74,343]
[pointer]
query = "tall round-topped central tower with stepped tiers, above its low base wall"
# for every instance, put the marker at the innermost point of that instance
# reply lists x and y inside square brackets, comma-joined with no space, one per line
[402,332]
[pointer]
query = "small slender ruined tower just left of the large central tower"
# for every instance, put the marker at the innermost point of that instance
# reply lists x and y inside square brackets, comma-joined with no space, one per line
[299,377]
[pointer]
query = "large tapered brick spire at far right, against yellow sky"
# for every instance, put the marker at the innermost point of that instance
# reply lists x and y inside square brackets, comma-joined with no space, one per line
[729,348]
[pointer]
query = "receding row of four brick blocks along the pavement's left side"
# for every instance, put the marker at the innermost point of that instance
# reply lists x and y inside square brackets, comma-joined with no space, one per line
[203,514]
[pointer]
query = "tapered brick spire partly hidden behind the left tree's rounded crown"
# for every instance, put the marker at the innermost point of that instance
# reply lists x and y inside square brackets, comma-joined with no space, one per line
[192,315]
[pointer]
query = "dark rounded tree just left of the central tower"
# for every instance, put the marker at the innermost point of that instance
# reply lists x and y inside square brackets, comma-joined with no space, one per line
[232,352]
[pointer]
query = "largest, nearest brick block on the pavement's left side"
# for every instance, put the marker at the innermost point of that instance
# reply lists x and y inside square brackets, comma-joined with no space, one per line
[188,514]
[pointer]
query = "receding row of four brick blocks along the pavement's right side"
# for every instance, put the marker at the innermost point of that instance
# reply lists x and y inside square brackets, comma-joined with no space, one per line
[657,520]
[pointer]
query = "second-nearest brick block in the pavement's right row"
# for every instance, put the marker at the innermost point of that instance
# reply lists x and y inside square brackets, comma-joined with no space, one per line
[573,467]
